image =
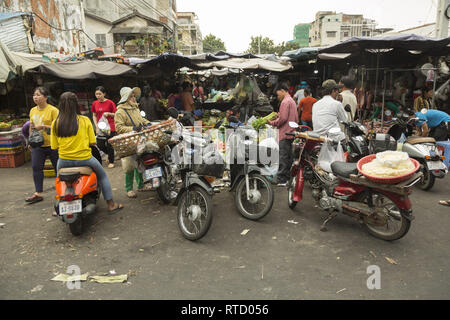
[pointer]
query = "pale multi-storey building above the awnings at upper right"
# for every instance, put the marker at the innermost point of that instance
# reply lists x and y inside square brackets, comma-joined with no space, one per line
[330,28]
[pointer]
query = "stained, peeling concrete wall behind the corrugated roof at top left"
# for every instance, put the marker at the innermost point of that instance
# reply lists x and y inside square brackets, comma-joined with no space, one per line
[63,14]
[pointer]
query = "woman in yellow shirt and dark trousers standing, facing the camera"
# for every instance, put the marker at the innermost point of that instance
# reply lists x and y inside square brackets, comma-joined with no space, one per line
[41,118]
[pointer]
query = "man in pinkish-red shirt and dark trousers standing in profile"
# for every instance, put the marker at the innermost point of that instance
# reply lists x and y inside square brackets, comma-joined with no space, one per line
[288,113]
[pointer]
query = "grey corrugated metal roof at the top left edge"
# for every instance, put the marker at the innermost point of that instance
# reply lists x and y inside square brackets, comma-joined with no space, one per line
[13,33]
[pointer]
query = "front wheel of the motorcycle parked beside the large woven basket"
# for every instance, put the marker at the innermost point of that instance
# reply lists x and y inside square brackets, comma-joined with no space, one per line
[195,217]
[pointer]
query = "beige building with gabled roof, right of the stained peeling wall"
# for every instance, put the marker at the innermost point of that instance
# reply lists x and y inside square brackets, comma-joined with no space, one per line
[135,27]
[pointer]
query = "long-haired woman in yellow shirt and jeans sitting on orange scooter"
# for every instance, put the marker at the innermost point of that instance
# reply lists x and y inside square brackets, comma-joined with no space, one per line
[72,135]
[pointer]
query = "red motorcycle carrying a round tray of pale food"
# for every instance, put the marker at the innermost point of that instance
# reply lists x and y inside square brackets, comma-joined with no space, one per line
[385,210]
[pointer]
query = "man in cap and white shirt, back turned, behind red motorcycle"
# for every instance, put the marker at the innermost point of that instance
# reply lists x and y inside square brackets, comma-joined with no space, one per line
[328,113]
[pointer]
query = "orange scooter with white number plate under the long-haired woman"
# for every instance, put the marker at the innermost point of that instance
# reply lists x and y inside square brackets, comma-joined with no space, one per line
[77,192]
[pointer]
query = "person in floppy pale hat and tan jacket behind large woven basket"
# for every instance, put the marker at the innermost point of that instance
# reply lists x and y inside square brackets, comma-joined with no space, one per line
[127,119]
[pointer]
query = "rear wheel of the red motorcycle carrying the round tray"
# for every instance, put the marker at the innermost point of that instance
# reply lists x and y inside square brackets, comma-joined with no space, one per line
[388,224]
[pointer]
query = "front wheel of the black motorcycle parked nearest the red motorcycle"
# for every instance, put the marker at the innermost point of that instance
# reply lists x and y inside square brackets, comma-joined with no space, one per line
[261,197]
